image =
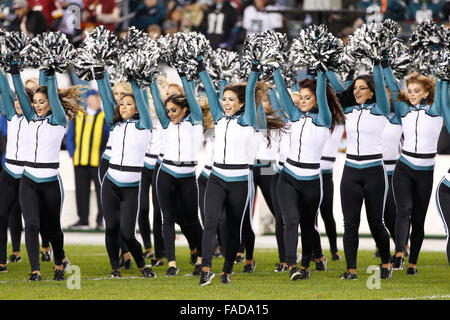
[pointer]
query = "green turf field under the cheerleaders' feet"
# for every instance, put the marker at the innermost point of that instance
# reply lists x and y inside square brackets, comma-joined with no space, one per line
[432,281]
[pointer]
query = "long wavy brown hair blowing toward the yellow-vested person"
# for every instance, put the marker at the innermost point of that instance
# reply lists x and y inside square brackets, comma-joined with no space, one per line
[70,99]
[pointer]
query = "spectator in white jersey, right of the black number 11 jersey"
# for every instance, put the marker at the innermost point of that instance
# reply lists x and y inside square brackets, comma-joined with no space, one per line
[257,19]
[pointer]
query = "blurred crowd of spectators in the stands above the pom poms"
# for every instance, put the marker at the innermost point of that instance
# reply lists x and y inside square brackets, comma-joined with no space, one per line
[224,22]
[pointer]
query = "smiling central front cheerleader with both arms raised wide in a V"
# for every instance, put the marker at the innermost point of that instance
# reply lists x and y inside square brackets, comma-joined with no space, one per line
[227,187]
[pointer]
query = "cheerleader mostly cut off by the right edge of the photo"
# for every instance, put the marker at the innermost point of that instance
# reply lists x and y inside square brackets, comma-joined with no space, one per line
[443,188]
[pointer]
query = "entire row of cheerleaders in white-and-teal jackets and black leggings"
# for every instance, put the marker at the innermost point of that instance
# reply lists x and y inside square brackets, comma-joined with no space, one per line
[282,139]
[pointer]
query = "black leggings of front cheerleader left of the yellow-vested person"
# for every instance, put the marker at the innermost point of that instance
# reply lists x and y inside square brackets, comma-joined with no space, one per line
[41,205]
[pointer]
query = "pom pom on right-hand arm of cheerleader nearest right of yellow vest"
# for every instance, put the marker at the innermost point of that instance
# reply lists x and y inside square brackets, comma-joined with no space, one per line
[141,64]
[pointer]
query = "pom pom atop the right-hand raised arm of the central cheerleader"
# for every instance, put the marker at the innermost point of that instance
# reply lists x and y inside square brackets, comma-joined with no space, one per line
[266,48]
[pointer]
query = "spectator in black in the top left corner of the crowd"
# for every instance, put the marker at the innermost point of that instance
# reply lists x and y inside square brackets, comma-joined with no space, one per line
[28,21]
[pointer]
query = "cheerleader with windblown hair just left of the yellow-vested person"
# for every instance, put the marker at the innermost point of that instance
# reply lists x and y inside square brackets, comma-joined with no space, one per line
[41,191]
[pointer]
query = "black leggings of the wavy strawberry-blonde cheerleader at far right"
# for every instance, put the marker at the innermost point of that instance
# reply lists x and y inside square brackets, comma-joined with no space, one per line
[412,192]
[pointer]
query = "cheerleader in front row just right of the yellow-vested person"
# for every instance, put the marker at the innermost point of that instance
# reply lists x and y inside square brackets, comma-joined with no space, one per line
[130,124]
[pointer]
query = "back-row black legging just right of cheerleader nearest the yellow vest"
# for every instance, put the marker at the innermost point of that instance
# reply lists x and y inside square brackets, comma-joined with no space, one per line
[144,218]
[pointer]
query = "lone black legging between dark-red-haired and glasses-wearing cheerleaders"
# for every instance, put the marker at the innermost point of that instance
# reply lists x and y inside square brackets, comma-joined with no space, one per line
[326,210]
